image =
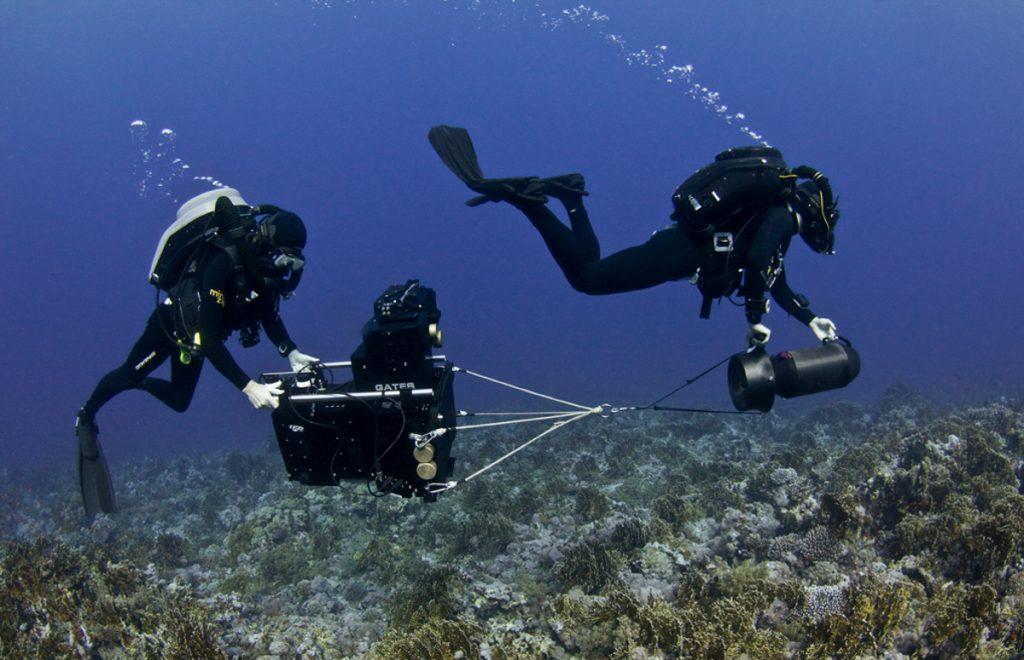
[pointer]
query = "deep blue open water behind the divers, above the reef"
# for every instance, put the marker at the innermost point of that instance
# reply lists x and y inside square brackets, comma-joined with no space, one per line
[912,109]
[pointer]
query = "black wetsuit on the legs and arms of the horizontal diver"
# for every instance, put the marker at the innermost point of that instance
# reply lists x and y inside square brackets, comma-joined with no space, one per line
[671,254]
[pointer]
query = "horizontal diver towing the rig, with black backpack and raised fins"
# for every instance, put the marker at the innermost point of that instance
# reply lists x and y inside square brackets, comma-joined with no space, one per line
[734,224]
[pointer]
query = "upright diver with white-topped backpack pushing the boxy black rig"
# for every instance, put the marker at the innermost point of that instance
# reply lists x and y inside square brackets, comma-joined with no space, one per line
[226,267]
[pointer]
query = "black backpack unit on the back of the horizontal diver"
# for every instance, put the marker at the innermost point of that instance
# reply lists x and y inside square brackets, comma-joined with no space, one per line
[745,179]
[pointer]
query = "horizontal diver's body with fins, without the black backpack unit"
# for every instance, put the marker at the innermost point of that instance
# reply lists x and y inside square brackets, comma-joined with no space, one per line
[750,263]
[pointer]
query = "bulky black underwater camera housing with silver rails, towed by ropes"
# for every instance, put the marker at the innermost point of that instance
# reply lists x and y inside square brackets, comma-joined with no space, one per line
[392,425]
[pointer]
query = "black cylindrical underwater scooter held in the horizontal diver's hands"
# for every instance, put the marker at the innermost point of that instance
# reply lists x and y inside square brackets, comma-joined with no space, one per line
[755,378]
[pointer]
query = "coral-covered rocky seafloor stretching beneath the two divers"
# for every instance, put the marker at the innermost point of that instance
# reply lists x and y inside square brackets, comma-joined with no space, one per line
[892,531]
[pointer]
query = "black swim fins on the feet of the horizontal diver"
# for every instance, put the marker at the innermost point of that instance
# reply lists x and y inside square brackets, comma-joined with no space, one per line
[455,148]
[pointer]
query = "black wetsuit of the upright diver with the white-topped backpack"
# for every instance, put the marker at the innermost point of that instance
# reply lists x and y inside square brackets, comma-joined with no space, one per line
[222,313]
